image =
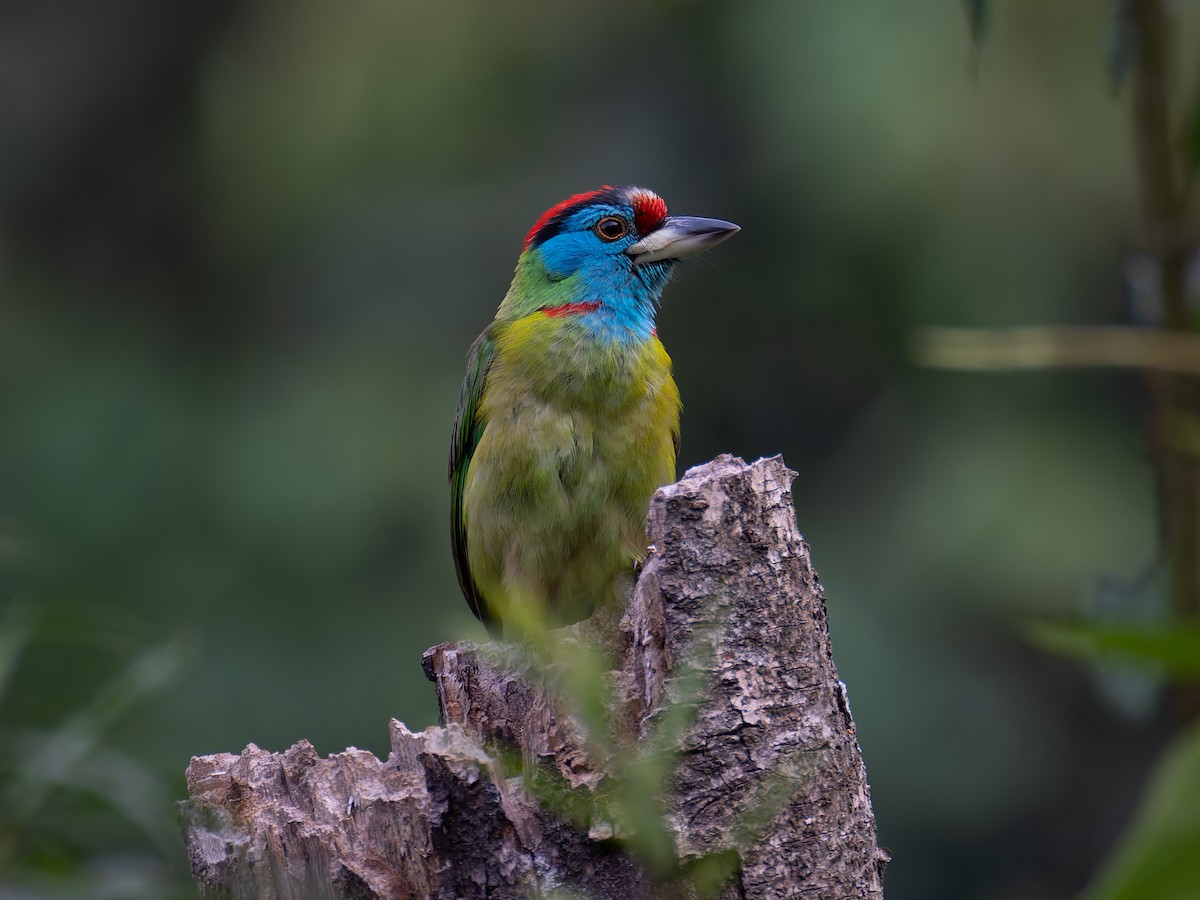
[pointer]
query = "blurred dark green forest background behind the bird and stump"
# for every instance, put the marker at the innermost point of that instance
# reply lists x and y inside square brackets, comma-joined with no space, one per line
[245,245]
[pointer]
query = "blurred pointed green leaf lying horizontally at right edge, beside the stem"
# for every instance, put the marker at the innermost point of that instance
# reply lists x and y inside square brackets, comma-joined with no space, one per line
[1177,649]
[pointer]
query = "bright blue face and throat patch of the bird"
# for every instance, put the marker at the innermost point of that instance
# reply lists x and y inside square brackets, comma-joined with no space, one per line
[591,245]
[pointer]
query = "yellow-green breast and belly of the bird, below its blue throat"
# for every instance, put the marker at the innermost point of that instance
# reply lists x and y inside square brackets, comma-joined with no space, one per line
[577,437]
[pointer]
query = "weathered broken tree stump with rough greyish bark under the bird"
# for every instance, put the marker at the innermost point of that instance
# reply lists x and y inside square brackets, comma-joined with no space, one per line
[728,619]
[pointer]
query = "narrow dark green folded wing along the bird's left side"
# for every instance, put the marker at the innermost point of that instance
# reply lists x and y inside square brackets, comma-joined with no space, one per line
[469,429]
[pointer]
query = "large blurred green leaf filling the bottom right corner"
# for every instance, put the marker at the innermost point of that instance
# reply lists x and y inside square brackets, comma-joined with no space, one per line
[1159,857]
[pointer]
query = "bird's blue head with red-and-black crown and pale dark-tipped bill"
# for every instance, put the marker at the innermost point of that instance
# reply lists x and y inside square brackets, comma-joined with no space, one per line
[614,250]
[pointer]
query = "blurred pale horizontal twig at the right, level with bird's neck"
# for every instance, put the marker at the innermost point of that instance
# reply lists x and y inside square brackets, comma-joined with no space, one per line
[1048,347]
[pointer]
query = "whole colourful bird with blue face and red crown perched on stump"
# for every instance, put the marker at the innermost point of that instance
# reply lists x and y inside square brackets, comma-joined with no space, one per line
[569,416]
